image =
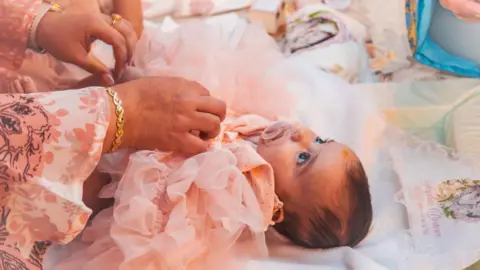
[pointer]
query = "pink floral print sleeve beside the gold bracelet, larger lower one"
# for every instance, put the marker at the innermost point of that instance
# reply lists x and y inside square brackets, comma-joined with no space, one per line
[49,145]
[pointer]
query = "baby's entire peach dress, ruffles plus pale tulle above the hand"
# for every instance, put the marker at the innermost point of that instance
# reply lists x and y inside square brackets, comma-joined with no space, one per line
[195,213]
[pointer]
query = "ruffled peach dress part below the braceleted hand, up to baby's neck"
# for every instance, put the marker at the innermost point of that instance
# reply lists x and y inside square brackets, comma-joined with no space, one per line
[209,211]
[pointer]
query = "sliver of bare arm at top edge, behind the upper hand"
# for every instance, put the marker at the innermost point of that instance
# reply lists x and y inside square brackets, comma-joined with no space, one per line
[132,11]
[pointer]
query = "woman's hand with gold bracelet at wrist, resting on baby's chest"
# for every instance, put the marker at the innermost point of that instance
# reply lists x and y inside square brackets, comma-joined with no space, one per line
[167,114]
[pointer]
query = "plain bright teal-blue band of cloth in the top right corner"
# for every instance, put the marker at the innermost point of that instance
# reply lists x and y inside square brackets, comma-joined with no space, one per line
[431,54]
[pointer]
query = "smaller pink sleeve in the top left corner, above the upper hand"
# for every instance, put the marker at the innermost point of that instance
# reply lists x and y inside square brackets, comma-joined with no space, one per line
[16,16]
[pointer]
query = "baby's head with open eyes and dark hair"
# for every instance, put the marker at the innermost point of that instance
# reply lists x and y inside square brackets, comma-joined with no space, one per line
[322,184]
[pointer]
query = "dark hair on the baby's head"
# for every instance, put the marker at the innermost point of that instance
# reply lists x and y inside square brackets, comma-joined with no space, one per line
[318,226]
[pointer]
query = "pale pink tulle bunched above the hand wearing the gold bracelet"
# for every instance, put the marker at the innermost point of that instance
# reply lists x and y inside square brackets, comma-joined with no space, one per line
[235,66]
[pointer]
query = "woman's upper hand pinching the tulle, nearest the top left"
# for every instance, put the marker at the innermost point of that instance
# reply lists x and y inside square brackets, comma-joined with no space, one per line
[68,34]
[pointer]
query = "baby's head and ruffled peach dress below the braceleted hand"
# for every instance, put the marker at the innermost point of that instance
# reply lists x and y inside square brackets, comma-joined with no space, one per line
[256,174]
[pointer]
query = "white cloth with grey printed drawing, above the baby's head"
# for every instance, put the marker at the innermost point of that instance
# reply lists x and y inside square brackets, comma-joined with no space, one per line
[327,39]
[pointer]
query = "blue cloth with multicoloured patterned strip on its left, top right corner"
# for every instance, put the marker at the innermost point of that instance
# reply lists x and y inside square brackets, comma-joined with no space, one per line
[427,51]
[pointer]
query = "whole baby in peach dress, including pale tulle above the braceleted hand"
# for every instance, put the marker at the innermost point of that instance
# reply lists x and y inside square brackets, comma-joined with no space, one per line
[202,212]
